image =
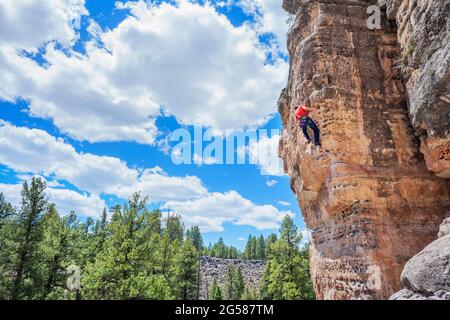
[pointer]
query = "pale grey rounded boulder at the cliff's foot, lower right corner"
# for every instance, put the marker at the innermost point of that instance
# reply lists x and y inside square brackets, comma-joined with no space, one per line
[427,275]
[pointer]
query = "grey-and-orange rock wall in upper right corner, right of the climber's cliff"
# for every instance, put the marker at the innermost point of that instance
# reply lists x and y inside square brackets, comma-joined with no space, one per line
[424,37]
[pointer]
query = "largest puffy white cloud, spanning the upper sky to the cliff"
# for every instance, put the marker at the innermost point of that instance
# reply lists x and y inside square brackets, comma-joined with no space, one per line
[187,58]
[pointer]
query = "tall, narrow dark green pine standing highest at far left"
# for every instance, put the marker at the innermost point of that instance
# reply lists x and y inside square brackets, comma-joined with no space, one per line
[27,257]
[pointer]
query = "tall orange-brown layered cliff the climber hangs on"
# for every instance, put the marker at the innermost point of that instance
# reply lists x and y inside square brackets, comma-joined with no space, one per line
[367,195]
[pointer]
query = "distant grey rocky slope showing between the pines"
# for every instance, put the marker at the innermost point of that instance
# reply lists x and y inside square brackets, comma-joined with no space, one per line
[210,268]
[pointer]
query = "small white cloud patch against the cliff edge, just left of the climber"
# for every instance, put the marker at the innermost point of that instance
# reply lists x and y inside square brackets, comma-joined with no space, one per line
[264,153]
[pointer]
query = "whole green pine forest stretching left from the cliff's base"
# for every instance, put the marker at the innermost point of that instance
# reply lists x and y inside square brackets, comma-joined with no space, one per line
[135,254]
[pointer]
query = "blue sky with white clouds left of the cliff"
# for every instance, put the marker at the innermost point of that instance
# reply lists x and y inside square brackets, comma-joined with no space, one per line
[90,107]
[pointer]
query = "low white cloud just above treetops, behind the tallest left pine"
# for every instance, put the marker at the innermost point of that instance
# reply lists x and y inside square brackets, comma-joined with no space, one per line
[65,200]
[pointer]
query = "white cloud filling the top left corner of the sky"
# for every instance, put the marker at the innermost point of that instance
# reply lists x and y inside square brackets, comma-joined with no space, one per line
[30,24]
